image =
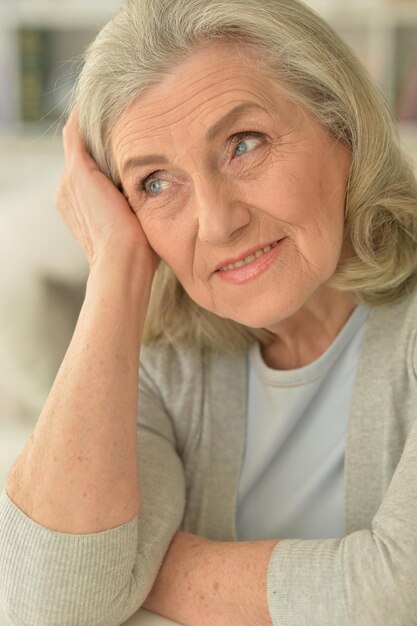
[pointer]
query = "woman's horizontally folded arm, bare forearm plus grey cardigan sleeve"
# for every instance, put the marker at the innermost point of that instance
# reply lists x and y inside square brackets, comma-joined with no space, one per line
[368,578]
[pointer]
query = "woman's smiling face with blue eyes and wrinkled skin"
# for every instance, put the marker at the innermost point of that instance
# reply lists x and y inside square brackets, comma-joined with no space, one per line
[215,195]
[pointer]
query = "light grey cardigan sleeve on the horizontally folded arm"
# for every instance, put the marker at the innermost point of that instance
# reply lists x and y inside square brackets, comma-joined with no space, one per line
[368,578]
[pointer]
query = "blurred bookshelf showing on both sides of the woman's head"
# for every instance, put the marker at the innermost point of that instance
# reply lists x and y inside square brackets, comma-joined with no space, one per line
[48,36]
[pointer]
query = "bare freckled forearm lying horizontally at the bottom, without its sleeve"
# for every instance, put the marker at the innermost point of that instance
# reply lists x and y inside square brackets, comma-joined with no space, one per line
[213,583]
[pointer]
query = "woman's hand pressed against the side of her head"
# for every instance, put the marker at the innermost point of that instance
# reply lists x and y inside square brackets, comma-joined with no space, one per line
[95,211]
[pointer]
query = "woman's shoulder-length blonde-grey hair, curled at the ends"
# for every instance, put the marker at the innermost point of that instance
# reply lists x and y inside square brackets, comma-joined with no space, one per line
[148,39]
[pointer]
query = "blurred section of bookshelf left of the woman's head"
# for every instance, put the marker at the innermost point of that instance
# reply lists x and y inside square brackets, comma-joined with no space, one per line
[41,43]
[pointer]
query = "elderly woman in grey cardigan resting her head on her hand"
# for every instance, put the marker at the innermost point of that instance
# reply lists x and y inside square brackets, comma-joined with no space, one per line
[236,182]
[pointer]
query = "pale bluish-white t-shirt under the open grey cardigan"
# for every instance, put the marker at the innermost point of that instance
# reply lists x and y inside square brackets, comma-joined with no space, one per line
[291,484]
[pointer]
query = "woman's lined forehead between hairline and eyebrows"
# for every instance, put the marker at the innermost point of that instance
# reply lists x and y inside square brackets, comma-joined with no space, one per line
[189,101]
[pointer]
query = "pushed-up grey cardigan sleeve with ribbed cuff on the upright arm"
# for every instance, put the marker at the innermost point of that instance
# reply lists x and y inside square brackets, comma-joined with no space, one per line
[100,579]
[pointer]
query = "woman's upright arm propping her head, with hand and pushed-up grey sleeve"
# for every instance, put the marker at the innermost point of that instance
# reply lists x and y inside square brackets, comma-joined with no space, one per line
[89,466]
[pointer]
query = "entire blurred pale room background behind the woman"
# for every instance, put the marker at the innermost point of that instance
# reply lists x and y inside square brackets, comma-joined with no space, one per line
[43,272]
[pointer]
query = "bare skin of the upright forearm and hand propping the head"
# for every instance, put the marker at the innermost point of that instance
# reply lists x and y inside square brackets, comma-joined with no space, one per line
[78,471]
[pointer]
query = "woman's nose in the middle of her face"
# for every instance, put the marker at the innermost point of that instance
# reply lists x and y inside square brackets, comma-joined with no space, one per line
[221,214]
